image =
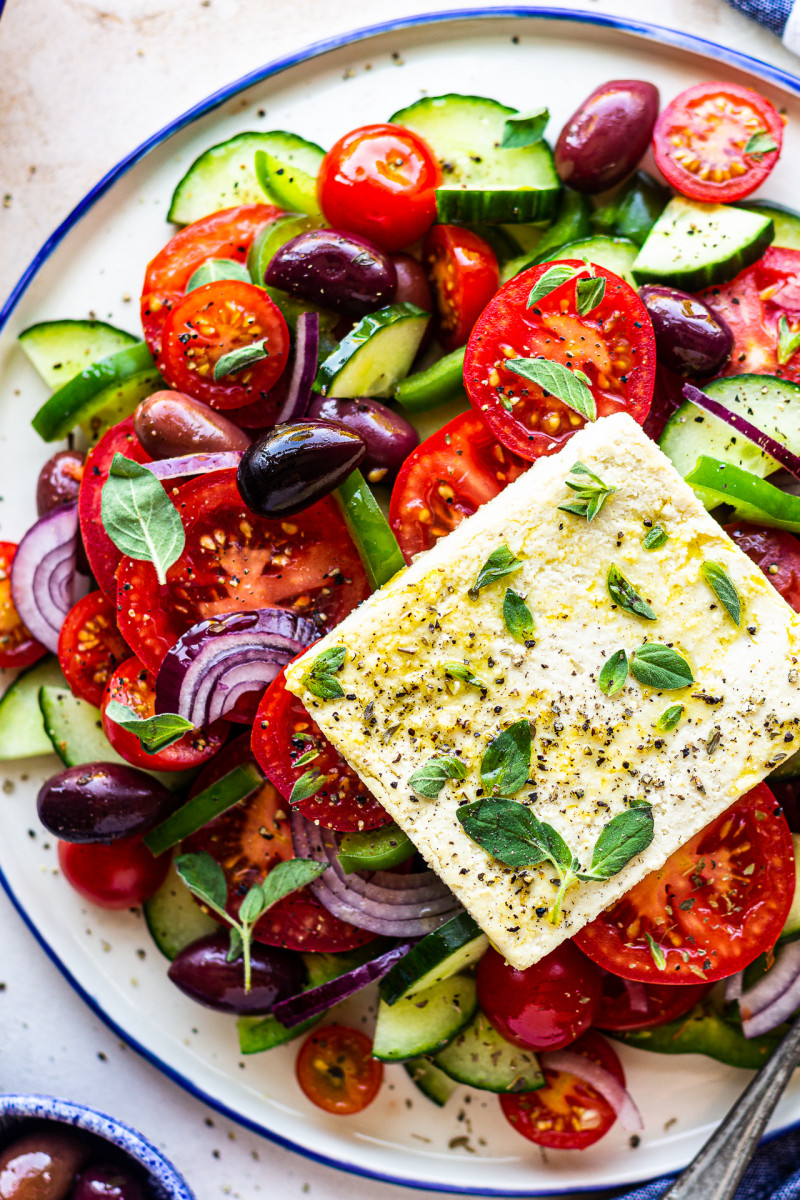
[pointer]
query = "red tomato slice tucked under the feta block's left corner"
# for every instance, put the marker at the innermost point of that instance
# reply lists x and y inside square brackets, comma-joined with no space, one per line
[284,735]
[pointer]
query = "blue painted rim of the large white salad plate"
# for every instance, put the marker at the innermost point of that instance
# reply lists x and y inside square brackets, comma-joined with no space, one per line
[642,29]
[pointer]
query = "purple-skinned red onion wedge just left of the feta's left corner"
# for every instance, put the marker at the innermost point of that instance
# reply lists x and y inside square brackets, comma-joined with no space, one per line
[216,663]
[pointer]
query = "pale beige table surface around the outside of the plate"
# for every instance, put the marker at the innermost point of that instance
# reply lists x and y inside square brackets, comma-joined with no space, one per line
[82,82]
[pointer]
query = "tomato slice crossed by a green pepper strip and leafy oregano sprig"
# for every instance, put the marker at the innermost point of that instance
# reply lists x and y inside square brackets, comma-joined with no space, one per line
[248,842]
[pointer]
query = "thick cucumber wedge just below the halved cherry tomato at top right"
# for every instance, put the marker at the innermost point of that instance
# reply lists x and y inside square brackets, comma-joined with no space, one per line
[694,247]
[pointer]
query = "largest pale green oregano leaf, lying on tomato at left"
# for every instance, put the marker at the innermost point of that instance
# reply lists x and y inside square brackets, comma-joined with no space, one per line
[140,518]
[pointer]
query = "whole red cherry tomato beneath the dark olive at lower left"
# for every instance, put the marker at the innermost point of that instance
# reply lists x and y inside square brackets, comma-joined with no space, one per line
[116,877]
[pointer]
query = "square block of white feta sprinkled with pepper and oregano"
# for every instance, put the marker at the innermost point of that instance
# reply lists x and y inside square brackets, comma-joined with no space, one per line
[593,755]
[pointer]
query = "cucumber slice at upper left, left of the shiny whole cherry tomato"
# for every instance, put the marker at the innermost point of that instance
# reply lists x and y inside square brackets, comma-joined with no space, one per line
[225,175]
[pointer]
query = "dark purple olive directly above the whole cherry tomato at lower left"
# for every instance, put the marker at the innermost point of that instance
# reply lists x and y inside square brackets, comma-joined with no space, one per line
[103,802]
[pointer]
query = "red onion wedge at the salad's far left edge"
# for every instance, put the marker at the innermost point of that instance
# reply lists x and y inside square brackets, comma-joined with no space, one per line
[45,584]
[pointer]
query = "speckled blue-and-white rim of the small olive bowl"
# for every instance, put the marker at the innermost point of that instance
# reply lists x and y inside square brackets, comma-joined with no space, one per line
[160,1174]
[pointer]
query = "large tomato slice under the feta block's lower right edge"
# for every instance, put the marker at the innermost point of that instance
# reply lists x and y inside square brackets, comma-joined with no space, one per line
[715,905]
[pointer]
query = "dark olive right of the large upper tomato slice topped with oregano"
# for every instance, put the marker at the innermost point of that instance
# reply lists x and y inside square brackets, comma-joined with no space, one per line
[690,338]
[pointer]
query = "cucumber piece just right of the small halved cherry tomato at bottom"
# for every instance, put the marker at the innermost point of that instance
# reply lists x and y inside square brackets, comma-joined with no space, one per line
[426,1023]
